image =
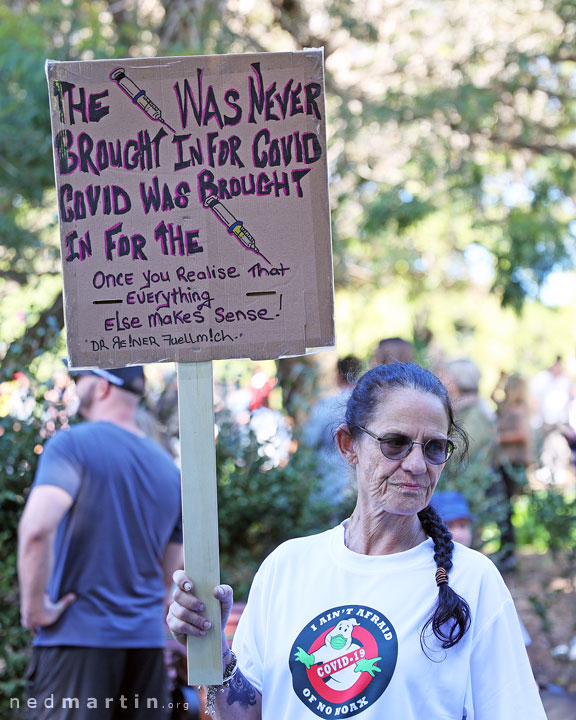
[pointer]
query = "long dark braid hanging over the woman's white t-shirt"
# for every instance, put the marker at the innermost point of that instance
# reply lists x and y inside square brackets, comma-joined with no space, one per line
[451,617]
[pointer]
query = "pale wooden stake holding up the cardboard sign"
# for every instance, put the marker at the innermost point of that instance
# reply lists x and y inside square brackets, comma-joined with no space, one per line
[200,513]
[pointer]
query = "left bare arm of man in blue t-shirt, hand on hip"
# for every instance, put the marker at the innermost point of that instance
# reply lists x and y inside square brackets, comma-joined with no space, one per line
[44,511]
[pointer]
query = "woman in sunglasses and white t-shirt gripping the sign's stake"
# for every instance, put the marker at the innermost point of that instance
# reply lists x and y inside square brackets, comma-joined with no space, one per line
[382,616]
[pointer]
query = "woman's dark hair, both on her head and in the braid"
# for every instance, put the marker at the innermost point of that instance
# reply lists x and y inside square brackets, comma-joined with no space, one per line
[451,617]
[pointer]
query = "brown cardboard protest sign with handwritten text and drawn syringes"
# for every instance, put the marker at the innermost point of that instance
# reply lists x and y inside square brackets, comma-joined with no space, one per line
[193,207]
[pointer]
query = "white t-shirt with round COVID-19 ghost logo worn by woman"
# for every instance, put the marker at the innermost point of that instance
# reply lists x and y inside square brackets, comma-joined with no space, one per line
[330,633]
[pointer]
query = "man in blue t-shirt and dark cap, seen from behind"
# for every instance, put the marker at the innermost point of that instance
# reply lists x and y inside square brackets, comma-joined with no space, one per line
[99,539]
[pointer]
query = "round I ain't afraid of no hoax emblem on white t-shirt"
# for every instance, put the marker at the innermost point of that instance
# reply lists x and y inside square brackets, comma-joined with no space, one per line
[343,660]
